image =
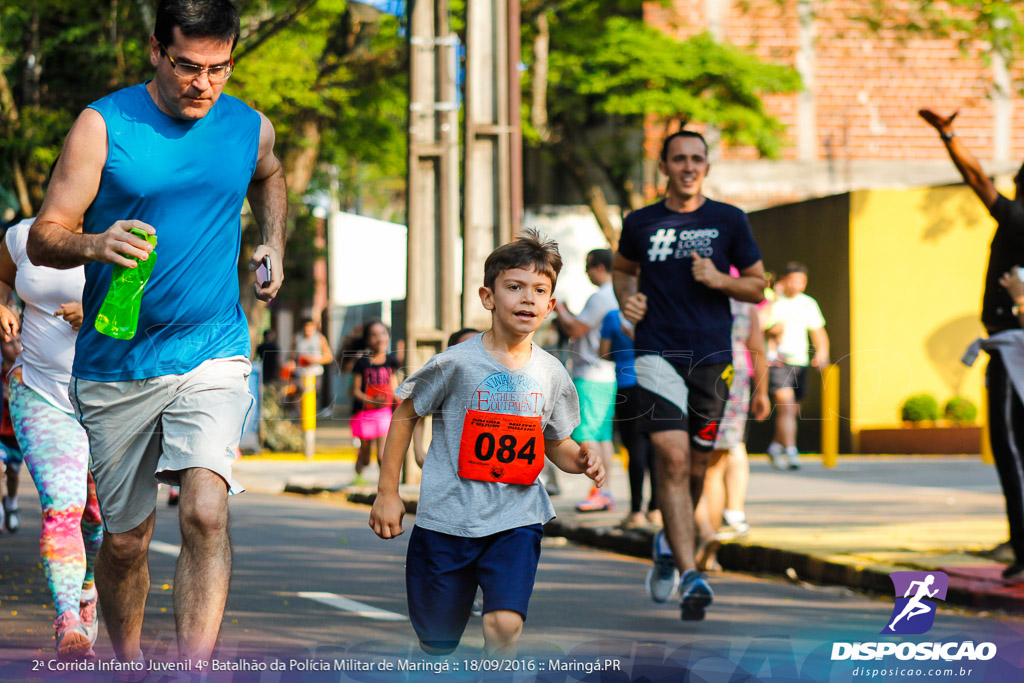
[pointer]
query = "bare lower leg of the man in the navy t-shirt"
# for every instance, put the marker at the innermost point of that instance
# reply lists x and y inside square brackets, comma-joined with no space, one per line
[672,463]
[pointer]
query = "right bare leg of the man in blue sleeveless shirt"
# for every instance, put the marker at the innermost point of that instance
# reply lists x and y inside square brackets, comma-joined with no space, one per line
[204,569]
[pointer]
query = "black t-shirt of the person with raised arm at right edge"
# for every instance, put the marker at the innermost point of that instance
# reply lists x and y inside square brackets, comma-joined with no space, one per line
[1006,252]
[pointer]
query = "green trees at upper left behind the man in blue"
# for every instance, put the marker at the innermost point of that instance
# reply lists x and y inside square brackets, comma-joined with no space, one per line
[330,75]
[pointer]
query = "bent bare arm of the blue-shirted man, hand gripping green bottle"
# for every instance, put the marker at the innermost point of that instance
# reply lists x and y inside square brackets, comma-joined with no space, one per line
[53,241]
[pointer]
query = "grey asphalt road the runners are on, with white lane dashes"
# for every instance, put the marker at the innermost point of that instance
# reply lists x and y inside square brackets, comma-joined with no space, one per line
[313,584]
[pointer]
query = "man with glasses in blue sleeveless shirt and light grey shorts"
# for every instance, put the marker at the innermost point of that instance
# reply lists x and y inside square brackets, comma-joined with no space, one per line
[177,159]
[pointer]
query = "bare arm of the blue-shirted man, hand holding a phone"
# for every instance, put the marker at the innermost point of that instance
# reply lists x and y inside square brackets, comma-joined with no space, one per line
[269,201]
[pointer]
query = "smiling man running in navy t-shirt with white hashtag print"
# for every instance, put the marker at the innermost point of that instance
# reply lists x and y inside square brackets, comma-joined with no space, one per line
[672,280]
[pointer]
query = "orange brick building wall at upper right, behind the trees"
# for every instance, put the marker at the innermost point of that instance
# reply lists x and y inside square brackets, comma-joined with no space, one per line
[857,126]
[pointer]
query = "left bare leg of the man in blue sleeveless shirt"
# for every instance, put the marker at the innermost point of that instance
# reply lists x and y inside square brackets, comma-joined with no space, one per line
[123,582]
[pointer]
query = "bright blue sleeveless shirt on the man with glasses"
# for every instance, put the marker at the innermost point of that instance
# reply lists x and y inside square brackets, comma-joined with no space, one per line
[189,181]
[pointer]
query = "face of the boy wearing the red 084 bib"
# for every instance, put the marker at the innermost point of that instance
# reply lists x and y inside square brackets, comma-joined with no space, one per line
[521,301]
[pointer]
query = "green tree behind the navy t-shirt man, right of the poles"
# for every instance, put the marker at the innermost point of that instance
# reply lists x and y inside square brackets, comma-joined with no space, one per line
[607,72]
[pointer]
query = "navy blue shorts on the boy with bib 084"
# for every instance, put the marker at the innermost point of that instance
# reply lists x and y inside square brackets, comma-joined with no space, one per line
[443,573]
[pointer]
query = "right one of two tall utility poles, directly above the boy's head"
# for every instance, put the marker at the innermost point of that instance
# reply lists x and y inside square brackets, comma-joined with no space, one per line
[494,143]
